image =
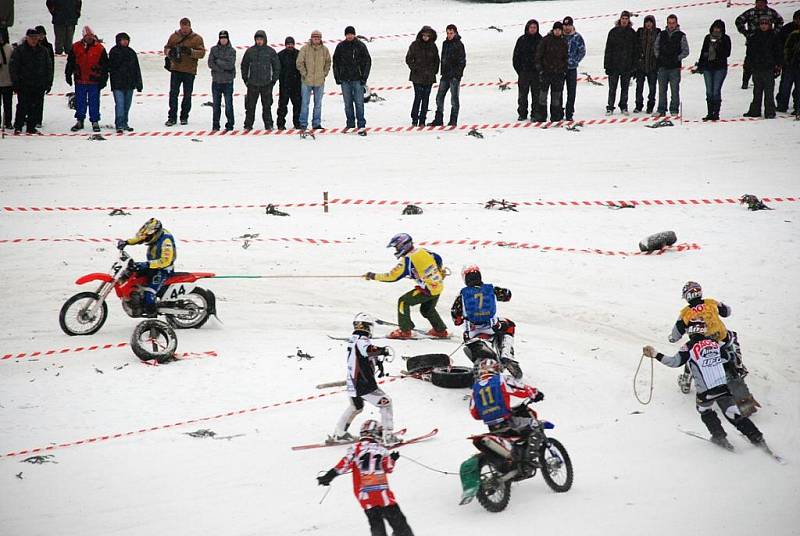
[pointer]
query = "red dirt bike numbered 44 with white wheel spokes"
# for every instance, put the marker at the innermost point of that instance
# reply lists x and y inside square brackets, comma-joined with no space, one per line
[184,305]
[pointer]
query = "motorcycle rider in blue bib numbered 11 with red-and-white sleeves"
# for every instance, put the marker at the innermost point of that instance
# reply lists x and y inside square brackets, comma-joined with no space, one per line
[491,403]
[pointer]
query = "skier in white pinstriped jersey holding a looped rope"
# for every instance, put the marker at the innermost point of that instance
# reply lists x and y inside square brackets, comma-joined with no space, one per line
[705,359]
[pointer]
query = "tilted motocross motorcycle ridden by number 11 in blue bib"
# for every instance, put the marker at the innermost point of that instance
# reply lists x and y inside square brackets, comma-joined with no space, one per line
[488,475]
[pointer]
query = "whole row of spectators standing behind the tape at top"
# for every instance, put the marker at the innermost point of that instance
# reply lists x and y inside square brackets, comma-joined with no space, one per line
[545,65]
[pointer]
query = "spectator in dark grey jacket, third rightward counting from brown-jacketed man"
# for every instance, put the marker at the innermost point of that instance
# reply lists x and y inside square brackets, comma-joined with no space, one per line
[260,70]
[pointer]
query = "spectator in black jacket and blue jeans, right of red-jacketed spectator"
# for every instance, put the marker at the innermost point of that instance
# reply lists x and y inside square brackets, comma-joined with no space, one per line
[123,66]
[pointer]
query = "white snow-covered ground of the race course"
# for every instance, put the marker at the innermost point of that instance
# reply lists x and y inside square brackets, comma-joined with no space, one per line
[582,318]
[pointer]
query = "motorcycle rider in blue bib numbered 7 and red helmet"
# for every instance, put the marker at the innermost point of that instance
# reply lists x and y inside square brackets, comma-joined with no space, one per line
[476,308]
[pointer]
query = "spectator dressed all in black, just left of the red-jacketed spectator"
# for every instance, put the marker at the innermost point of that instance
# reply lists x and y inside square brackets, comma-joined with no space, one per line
[31,77]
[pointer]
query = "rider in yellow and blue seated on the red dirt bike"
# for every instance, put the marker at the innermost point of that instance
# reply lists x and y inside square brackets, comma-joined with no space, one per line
[161,255]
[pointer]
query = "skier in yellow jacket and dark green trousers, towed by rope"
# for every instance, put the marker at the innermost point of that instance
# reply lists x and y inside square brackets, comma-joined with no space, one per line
[426,268]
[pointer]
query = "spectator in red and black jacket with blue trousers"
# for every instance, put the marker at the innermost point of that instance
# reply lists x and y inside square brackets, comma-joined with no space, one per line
[87,65]
